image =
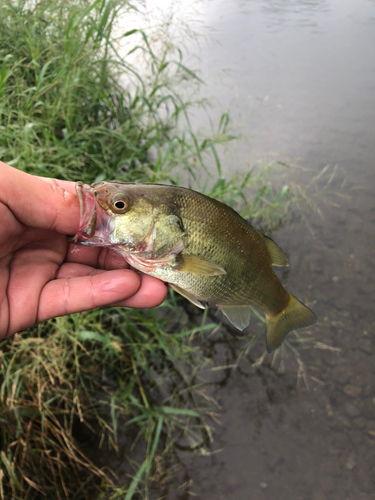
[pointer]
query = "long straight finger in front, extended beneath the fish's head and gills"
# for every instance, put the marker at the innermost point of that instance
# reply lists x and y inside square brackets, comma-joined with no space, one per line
[70,295]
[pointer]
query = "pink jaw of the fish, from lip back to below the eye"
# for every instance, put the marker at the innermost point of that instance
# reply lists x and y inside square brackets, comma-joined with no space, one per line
[95,225]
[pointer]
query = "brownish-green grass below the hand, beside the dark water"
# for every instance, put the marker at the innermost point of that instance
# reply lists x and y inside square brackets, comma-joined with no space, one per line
[100,370]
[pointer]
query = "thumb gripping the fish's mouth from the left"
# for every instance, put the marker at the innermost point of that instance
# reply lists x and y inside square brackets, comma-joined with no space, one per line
[39,202]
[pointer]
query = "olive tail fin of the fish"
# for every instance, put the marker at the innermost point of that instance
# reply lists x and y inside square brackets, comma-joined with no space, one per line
[295,315]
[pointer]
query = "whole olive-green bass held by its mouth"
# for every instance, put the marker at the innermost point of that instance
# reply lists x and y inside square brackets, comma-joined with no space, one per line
[199,246]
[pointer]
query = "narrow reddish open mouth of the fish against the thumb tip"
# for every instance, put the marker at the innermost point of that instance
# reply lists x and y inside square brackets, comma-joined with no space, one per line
[88,217]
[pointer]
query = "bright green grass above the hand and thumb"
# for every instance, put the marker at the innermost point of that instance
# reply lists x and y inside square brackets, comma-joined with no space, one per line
[63,112]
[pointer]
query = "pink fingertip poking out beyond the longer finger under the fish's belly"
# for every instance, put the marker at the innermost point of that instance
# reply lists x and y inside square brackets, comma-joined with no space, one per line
[151,293]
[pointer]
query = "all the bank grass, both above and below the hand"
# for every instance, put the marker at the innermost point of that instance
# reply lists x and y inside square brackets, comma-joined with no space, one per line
[110,373]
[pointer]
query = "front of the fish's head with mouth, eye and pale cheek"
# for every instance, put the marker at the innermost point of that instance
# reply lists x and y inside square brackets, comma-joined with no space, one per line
[113,213]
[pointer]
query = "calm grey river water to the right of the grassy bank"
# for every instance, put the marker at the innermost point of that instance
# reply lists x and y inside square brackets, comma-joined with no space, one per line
[299,78]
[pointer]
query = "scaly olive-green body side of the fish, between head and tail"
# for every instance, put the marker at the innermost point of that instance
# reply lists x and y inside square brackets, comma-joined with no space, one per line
[223,237]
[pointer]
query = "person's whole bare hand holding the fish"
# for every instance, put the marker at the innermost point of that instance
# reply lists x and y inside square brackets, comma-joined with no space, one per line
[42,275]
